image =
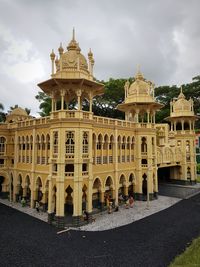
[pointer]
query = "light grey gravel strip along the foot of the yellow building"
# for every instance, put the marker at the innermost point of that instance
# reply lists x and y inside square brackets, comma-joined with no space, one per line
[105,221]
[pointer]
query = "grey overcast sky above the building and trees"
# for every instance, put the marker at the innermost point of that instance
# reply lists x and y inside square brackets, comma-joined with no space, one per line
[162,36]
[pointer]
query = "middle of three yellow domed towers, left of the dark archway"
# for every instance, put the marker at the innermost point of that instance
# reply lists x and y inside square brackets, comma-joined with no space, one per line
[140,107]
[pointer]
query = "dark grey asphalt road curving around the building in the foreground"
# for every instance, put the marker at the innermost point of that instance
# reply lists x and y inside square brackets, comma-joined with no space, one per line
[152,241]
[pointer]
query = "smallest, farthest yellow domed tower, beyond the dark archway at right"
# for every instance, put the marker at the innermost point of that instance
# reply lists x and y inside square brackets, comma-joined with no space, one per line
[182,120]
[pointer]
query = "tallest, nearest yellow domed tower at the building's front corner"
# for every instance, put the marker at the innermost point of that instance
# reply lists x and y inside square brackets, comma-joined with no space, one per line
[70,176]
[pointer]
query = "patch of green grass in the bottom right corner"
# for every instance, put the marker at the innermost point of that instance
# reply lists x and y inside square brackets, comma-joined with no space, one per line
[191,256]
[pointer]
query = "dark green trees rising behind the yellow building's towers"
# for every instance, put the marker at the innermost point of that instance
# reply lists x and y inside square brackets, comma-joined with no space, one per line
[106,104]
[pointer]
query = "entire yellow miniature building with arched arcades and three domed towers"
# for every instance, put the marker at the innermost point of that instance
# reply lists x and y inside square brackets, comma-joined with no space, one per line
[71,160]
